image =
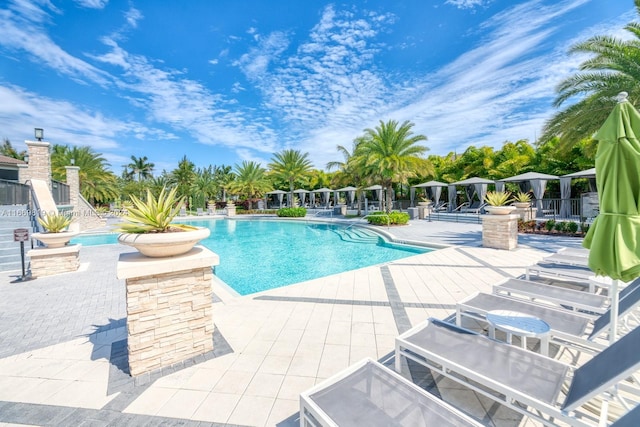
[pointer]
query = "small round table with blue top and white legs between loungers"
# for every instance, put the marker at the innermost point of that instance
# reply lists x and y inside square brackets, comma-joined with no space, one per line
[521,324]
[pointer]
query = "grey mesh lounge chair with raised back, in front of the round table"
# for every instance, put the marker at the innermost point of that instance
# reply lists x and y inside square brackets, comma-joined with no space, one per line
[524,381]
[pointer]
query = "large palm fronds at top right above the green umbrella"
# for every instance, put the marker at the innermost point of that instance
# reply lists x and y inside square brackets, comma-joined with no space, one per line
[613,68]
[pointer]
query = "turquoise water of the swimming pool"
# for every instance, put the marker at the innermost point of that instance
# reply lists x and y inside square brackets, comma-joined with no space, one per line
[259,255]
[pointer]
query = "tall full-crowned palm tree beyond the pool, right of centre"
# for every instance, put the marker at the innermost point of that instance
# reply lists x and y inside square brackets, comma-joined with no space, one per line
[392,154]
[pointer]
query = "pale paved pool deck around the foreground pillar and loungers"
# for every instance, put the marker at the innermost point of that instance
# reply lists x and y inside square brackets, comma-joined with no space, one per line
[63,338]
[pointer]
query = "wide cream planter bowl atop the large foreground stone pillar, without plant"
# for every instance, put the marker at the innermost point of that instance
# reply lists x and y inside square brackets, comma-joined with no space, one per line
[156,245]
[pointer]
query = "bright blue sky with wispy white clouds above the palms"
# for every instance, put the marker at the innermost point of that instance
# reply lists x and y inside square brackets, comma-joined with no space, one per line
[231,80]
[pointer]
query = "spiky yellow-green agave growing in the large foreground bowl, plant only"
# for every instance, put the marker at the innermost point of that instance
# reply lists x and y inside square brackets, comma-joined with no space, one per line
[154,215]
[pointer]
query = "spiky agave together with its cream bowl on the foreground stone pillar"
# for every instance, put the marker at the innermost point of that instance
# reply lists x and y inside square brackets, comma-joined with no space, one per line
[150,231]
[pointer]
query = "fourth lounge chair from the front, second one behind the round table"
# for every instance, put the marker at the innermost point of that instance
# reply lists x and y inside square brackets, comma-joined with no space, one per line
[559,296]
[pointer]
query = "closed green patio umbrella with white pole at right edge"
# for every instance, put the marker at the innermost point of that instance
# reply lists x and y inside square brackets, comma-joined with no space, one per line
[614,237]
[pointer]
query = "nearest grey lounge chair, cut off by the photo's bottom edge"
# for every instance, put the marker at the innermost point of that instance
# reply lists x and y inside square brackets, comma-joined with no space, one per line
[368,394]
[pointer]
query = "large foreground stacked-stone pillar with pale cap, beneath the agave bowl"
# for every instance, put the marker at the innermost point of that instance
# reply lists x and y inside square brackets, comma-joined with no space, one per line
[169,308]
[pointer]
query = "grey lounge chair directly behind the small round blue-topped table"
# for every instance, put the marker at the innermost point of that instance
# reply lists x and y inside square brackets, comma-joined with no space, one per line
[567,327]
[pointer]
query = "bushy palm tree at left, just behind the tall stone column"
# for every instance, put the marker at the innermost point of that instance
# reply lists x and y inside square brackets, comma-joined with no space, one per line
[97,183]
